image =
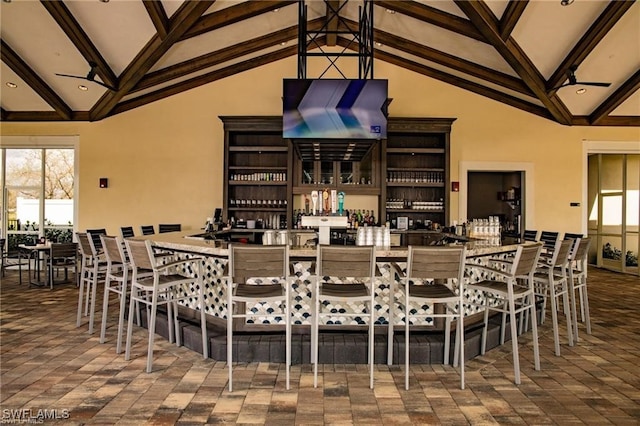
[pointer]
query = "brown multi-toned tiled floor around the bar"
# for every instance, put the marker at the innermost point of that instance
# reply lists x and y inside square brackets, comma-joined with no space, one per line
[49,364]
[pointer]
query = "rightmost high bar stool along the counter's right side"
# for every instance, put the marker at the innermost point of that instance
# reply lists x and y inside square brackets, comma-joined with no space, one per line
[578,281]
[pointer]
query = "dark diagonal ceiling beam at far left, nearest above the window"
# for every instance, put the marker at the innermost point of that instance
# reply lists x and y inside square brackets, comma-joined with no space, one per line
[20,67]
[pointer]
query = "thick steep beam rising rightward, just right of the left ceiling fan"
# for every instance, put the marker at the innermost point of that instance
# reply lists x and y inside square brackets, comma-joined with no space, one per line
[182,20]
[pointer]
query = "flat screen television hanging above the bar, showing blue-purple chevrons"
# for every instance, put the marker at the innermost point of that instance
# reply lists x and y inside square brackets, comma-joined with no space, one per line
[334,109]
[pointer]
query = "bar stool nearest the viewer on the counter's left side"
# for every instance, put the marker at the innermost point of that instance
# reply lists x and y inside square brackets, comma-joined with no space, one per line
[162,289]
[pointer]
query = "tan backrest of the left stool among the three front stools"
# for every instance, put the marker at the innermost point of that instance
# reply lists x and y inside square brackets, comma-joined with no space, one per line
[251,261]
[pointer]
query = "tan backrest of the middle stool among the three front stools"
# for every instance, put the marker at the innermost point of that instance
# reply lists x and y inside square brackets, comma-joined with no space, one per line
[346,261]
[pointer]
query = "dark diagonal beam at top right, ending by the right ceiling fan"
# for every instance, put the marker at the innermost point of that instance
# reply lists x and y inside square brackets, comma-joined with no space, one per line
[590,39]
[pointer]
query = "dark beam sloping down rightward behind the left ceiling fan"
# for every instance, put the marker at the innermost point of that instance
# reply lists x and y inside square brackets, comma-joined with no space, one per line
[80,40]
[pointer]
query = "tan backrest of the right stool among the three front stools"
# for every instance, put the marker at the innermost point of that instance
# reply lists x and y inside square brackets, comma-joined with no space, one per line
[436,263]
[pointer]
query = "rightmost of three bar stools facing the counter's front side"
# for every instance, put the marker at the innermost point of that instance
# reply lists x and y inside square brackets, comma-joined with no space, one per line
[425,267]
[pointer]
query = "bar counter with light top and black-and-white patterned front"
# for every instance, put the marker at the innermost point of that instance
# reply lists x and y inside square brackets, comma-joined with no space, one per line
[389,261]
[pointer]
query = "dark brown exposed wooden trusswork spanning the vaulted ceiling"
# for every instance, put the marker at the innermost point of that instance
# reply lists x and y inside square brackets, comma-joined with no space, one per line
[143,81]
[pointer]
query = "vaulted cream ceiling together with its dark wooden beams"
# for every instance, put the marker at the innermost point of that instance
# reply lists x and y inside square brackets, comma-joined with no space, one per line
[515,52]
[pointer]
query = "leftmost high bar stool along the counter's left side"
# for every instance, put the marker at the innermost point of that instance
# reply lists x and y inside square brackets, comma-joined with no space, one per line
[92,268]
